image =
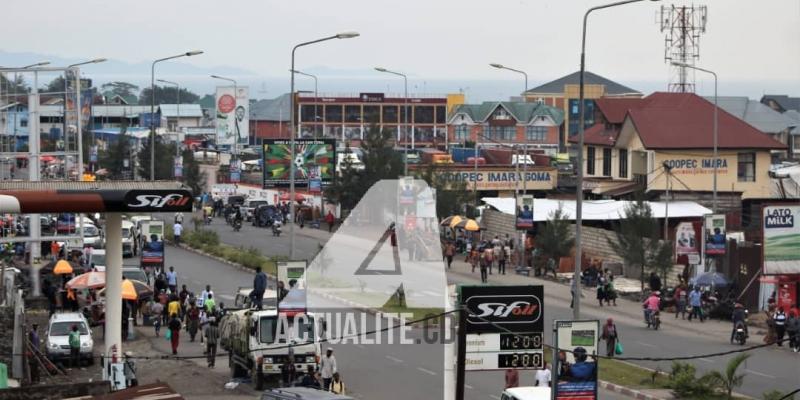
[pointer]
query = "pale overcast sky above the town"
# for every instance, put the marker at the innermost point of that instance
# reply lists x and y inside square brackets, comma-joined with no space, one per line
[444,45]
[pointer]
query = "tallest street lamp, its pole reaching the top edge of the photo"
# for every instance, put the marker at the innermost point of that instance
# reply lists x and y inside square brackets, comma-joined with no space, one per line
[579,192]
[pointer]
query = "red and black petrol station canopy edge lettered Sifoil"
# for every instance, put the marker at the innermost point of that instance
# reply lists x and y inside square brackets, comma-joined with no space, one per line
[90,197]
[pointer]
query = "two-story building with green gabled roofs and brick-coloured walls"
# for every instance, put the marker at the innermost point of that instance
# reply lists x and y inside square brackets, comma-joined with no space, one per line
[507,123]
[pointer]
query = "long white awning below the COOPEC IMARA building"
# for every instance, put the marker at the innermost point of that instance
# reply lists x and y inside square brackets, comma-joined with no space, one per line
[597,210]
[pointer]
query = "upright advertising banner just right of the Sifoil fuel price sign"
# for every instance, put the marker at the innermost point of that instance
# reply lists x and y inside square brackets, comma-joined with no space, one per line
[577,343]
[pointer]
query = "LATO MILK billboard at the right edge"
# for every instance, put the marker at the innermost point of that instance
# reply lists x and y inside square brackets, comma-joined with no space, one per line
[781,239]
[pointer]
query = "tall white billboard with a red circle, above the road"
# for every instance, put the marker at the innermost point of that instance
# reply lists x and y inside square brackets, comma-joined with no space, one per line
[232,115]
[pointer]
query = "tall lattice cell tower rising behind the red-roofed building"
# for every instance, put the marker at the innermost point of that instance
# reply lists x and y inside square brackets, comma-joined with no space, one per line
[683,26]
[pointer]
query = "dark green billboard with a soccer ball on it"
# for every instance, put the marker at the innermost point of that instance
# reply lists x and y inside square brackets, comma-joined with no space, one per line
[313,159]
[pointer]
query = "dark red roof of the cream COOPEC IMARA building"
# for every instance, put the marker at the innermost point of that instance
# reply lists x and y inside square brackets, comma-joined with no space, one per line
[686,121]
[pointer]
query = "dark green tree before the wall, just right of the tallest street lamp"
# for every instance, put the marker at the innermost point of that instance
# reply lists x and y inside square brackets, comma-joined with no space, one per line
[638,240]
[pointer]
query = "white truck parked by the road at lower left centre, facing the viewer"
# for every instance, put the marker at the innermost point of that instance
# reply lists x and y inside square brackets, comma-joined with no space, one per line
[257,345]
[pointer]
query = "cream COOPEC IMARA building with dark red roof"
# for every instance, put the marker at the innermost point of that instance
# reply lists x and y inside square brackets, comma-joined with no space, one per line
[666,140]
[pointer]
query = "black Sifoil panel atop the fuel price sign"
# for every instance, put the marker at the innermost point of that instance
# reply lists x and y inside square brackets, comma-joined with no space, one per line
[500,309]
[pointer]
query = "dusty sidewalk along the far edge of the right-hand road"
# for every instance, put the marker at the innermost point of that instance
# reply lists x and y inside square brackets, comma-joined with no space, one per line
[626,308]
